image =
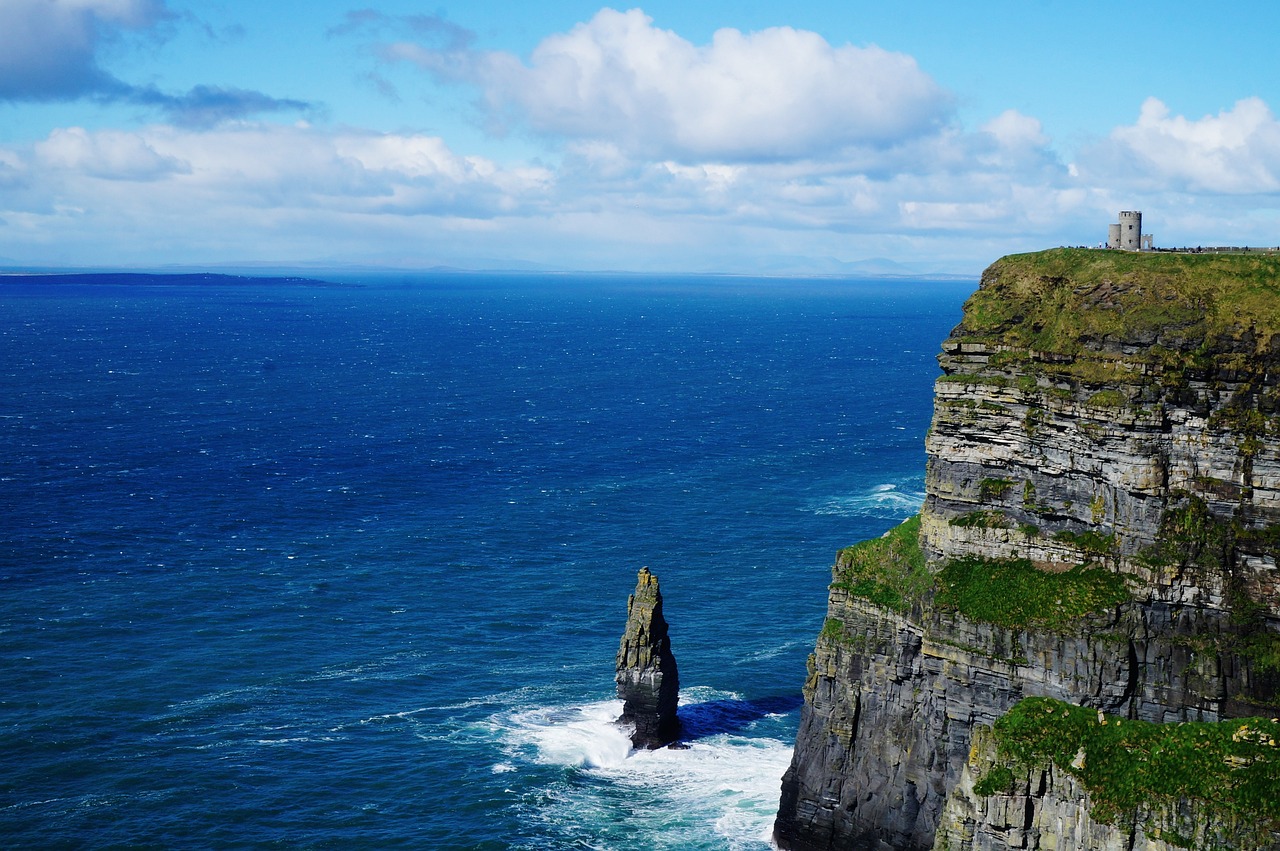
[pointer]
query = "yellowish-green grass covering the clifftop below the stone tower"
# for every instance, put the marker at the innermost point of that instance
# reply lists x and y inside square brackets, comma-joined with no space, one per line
[1052,301]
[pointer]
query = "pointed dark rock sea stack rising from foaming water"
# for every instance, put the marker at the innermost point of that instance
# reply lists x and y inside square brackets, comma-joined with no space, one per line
[647,678]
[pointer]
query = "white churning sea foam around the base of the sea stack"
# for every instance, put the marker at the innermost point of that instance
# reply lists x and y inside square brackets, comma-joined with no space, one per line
[721,791]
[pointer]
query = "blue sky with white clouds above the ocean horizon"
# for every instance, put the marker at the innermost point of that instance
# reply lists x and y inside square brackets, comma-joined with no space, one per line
[739,138]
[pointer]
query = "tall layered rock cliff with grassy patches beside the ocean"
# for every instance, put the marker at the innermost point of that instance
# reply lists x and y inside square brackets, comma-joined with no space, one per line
[1101,529]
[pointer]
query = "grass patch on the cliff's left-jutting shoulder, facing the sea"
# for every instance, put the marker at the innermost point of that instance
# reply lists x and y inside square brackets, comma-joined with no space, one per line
[889,571]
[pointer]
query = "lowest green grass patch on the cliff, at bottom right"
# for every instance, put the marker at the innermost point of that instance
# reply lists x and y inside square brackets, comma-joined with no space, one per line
[1231,766]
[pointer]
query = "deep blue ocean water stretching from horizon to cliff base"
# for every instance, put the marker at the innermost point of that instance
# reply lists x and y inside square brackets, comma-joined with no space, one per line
[348,568]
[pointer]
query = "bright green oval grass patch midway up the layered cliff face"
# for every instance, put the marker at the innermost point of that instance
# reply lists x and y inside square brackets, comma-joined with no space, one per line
[1013,593]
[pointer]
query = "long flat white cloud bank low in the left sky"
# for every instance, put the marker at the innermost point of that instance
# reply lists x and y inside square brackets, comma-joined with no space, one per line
[264,167]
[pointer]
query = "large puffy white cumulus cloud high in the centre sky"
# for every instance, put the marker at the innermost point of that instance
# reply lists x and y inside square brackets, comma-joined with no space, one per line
[775,94]
